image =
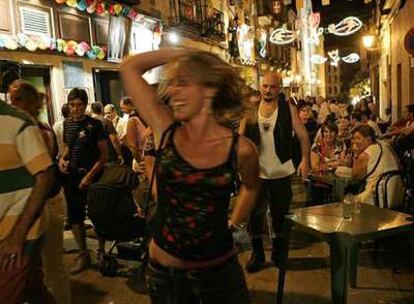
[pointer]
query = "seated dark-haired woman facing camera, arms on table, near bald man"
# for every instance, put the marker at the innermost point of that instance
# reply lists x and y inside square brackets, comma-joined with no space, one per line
[328,153]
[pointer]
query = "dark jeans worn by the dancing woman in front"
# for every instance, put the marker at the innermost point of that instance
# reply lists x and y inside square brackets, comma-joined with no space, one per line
[223,283]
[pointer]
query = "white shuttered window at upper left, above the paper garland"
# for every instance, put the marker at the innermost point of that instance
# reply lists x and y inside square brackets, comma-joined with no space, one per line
[34,21]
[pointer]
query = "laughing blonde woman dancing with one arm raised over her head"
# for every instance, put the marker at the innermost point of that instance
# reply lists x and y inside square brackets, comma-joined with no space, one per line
[192,259]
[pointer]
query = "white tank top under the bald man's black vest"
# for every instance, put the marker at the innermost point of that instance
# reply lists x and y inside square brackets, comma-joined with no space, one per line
[270,165]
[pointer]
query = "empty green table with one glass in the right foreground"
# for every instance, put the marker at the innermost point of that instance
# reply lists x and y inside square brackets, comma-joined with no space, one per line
[343,236]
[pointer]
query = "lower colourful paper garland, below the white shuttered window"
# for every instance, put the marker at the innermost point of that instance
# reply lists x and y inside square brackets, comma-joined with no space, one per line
[71,47]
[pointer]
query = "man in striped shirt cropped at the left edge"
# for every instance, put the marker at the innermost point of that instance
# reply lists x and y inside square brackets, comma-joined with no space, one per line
[25,180]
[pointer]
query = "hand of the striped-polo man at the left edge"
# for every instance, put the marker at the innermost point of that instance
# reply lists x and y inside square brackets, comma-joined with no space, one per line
[11,252]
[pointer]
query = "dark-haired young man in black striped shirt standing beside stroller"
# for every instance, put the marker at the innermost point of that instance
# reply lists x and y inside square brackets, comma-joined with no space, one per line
[85,153]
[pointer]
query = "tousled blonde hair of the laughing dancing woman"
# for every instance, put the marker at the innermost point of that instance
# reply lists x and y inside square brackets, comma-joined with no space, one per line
[211,71]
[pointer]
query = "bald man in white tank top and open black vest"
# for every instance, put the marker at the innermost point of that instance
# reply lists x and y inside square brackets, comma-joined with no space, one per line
[273,136]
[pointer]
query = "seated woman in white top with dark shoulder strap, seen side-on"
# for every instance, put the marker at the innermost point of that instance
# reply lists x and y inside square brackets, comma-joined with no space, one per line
[372,159]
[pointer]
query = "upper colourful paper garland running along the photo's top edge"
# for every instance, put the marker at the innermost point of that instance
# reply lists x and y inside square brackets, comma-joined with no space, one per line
[101,8]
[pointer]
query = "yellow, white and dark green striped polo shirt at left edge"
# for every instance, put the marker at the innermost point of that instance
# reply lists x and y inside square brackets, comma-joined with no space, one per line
[23,154]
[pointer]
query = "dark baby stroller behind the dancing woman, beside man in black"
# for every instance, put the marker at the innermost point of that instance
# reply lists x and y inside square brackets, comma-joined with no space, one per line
[112,210]
